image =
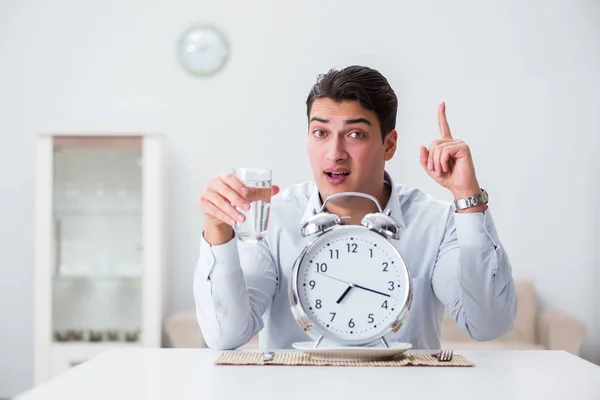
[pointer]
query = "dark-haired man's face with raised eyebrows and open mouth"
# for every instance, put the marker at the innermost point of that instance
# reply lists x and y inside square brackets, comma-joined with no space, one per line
[345,148]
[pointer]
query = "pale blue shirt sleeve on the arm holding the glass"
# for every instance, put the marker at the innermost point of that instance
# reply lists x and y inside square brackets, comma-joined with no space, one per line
[234,284]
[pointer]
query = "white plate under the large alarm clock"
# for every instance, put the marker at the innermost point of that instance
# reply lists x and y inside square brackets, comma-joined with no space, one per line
[352,353]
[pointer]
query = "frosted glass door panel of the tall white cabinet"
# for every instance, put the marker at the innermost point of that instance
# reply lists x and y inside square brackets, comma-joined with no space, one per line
[98,255]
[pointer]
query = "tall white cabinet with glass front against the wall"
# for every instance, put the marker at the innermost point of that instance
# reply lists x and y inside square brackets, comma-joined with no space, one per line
[99,247]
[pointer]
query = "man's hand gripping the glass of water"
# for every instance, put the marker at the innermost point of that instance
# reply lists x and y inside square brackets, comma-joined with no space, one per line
[218,201]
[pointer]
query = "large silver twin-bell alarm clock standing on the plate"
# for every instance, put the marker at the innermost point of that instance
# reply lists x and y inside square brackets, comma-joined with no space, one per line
[350,285]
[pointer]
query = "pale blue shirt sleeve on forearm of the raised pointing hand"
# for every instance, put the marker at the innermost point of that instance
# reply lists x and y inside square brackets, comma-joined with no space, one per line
[473,277]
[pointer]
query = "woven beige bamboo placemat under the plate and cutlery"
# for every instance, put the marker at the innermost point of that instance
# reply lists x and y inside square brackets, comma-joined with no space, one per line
[292,358]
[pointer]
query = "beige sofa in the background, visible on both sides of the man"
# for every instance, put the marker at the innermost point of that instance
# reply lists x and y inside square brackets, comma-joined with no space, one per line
[533,329]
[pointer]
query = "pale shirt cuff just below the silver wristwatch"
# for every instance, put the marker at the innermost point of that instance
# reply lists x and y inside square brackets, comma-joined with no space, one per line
[476,229]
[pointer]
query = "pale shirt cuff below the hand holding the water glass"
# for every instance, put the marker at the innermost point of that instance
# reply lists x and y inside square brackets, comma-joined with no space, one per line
[225,254]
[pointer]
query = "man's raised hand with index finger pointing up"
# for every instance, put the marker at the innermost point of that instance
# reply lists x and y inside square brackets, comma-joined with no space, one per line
[448,161]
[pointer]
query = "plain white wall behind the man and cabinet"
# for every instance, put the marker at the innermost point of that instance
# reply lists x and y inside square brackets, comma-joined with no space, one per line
[521,81]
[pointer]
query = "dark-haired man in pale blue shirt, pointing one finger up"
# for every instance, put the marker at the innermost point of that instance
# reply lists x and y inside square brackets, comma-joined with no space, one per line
[453,252]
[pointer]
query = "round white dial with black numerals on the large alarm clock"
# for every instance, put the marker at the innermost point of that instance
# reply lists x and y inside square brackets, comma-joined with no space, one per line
[353,284]
